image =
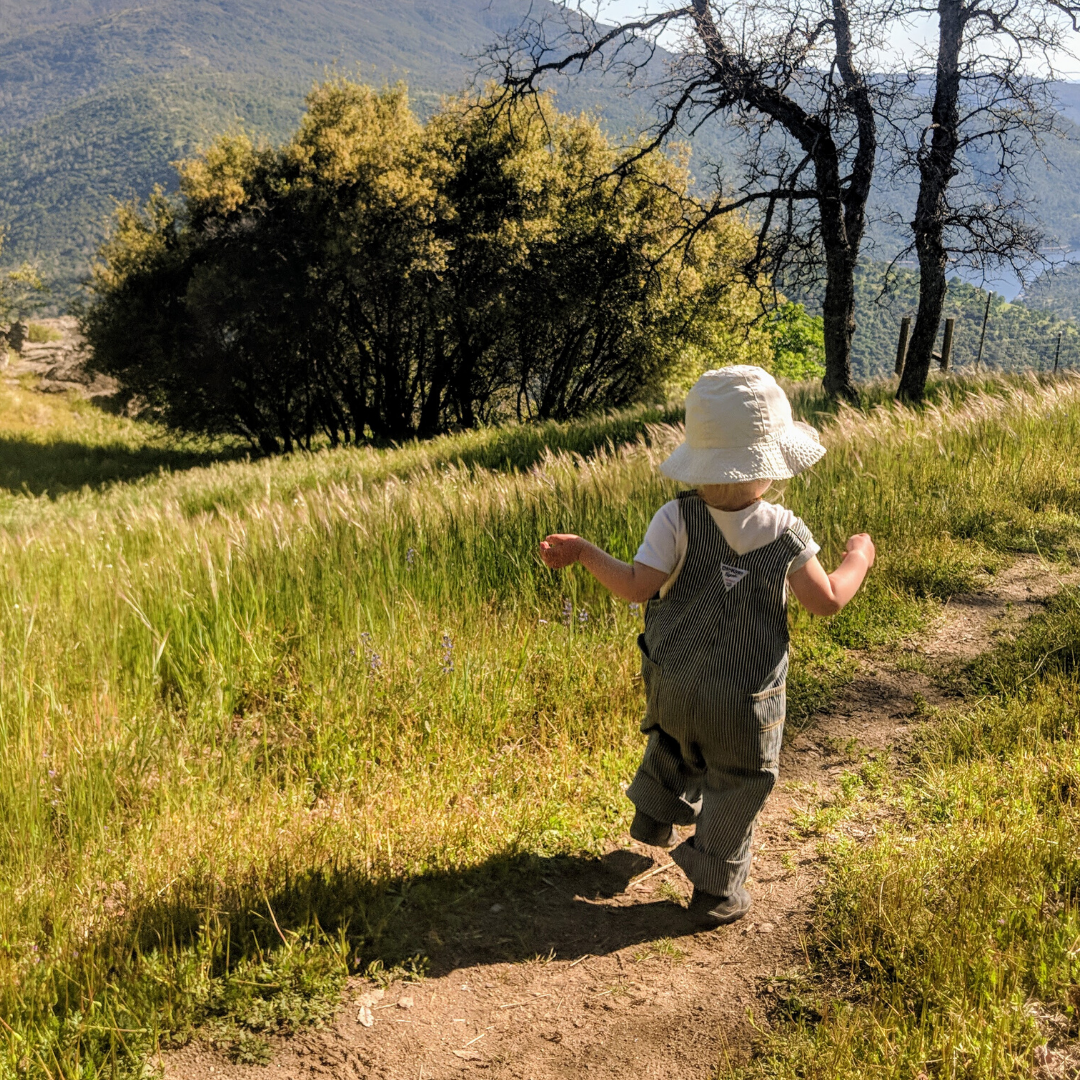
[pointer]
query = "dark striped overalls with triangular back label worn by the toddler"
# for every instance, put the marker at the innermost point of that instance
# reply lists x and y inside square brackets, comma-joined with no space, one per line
[714,661]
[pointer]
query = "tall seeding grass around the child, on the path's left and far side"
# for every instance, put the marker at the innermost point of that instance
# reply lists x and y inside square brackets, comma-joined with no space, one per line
[262,724]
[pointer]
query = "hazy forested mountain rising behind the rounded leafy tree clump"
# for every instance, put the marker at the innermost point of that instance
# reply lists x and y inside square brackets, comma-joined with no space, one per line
[98,98]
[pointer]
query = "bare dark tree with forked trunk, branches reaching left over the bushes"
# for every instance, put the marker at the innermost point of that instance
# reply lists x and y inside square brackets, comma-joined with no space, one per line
[789,75]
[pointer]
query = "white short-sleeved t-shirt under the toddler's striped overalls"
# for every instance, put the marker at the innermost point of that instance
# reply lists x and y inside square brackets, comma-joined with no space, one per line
[748,530]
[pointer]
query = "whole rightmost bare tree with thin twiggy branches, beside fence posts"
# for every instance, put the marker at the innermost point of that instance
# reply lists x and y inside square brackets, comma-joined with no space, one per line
[991,110]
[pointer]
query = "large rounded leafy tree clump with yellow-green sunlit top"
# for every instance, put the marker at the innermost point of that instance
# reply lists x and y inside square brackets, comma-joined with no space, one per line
[377,279]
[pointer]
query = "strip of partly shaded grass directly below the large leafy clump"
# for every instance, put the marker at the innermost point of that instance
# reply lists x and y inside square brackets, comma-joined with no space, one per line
[84,460]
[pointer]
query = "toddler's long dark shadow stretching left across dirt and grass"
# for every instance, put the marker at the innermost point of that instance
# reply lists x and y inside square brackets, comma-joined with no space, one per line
[506,910]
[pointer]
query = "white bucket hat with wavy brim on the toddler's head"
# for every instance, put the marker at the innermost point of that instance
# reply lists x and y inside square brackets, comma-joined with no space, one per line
[739,427]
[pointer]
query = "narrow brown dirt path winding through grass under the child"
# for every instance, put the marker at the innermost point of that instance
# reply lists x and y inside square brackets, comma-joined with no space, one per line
[619,987]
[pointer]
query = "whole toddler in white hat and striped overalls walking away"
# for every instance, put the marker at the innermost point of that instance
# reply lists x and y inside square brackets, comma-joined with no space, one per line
[715,566]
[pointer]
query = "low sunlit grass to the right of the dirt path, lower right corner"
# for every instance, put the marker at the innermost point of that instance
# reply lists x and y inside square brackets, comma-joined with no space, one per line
[948,946]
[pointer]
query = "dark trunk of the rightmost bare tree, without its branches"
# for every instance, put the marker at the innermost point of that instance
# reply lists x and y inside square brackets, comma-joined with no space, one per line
[937,169]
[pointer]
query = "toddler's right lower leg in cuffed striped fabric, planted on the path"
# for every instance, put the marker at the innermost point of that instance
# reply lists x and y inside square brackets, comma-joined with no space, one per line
[717,859]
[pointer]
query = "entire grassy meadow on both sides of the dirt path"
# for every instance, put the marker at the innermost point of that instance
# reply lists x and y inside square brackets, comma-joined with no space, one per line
[262,722]
